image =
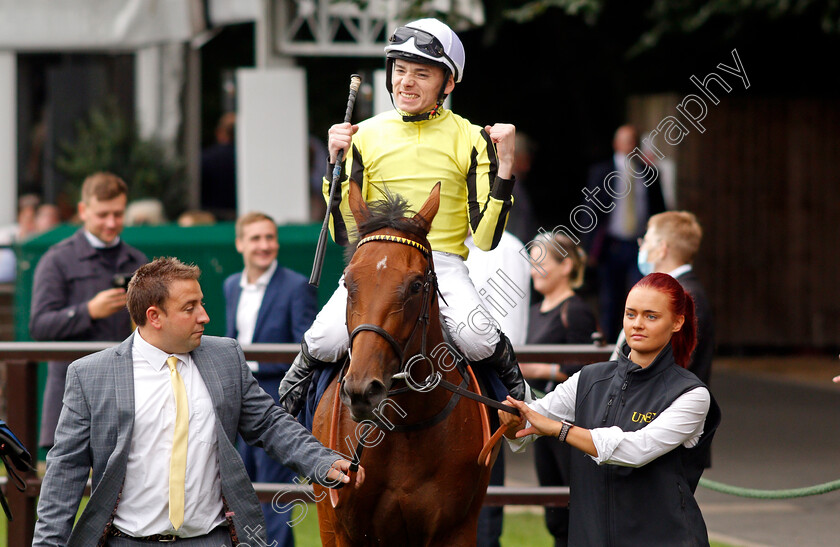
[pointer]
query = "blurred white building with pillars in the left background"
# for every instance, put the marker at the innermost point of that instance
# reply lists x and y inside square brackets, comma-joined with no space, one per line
[59,57]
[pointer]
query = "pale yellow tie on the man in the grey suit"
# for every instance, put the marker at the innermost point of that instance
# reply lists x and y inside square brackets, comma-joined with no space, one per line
[178,462]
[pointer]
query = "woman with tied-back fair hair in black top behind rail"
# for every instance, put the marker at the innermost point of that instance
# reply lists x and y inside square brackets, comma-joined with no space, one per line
[562,317]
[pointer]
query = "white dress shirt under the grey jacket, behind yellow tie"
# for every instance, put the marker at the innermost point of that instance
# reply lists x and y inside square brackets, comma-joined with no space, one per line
[143,509]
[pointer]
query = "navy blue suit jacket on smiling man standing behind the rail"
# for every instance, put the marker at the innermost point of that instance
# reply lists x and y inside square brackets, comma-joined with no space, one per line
[287,311]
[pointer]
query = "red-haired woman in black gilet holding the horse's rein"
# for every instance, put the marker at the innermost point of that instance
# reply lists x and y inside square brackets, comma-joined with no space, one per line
[641,427]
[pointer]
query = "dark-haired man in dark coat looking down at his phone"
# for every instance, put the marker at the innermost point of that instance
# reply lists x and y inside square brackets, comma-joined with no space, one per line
[79,289]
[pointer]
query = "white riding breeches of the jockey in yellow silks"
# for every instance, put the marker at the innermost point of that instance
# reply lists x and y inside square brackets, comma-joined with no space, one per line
[473,329]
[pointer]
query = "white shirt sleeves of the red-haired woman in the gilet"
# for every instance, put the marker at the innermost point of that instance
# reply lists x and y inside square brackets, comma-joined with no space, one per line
[680,423]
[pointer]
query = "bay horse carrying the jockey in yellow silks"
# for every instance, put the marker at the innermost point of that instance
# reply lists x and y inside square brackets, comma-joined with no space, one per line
[419,446]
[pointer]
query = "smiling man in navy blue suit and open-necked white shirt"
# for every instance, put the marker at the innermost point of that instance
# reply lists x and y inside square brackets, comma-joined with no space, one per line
[267,303]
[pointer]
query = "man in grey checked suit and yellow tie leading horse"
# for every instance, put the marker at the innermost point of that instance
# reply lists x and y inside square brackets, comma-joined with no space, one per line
[123,410]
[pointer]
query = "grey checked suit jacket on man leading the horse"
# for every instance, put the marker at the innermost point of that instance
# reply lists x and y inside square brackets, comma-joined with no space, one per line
[95,432]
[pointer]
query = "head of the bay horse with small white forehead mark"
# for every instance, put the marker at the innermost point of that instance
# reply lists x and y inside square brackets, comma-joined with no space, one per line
[390,289]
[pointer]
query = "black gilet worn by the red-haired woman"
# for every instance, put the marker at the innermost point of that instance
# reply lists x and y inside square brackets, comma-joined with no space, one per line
[613,505]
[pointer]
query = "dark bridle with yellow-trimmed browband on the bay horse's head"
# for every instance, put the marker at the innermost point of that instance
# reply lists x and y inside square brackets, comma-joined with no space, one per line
[430,287]
